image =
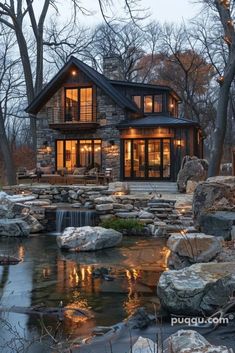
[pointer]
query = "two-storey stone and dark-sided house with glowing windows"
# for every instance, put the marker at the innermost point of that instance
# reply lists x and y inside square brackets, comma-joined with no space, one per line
[88,119]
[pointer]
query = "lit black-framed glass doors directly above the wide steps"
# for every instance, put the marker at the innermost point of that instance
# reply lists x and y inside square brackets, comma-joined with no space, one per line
[147,159]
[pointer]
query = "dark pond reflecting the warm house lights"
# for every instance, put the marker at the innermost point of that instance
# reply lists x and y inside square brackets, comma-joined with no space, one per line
[50,277]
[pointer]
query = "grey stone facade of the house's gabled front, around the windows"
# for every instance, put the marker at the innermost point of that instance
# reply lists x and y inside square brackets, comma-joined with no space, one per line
[109,114]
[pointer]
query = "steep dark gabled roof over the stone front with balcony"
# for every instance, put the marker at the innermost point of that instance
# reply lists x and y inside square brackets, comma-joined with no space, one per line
[100,80]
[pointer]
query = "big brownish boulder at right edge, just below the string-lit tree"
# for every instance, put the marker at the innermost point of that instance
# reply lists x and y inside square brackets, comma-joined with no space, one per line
[215,194]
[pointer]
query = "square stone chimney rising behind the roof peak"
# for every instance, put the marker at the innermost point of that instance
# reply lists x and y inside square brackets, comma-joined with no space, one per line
[113,67]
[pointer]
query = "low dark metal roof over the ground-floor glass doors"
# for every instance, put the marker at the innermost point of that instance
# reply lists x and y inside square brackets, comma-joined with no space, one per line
[156,120]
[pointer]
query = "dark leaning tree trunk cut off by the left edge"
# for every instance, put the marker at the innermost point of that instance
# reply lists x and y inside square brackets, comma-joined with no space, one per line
[6,153]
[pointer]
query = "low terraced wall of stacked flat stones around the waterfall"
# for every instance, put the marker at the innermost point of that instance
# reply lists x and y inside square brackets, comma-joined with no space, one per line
[159,216]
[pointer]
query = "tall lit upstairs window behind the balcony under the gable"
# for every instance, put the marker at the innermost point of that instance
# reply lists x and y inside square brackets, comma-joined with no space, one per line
[78,104]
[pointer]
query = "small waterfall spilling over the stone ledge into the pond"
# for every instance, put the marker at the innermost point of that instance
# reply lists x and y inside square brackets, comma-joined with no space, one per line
[74,218]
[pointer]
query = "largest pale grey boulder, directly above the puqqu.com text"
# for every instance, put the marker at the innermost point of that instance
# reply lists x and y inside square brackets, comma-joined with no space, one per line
[198,289]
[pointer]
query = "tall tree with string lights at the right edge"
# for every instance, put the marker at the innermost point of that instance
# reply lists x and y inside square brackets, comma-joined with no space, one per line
[219,42]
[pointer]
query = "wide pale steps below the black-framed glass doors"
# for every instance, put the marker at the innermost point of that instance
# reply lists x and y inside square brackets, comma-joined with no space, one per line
[152,186]
